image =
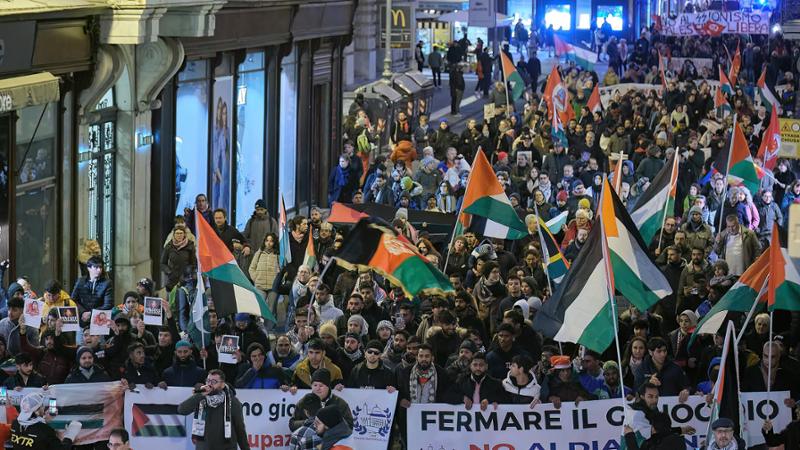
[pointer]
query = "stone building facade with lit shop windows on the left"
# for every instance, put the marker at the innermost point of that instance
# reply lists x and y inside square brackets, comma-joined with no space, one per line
[113,119]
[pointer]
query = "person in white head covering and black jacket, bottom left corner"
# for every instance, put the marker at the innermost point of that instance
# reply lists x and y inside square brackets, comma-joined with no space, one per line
[31,431]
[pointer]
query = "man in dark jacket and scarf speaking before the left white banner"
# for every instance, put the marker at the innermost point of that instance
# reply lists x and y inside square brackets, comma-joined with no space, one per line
[218,421]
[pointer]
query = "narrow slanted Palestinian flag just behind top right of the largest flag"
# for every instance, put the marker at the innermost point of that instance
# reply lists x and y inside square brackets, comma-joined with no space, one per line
[657,202]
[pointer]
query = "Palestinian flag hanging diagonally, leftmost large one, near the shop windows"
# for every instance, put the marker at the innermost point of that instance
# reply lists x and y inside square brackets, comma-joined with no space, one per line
[231,290]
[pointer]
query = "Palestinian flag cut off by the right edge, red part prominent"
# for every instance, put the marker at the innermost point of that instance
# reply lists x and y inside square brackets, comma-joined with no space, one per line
[783,287]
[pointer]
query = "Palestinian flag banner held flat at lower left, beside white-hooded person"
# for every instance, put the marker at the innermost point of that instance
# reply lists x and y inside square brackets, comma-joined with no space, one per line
[97,418]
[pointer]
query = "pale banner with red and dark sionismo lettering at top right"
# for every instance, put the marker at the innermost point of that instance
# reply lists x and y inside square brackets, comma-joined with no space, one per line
[716,23]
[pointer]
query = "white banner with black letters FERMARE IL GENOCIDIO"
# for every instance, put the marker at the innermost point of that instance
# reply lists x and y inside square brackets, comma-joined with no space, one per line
[590,425]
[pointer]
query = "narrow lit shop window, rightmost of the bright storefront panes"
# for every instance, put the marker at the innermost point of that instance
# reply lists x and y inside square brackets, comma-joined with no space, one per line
[287,159]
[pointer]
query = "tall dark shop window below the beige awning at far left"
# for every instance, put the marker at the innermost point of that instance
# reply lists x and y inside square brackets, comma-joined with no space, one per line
[36,206]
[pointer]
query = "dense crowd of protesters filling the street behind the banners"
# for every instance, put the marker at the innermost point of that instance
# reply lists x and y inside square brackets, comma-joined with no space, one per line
[338,329]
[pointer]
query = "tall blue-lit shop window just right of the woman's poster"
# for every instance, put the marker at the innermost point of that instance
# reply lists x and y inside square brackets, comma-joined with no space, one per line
[249,136]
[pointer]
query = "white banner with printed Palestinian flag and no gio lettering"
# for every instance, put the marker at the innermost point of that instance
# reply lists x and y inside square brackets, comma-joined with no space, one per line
[151,417]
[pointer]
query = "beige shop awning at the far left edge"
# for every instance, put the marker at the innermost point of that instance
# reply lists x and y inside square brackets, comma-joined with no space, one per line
[28,90]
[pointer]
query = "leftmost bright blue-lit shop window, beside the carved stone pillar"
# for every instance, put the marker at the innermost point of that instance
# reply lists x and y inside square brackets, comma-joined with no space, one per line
[191,135]
